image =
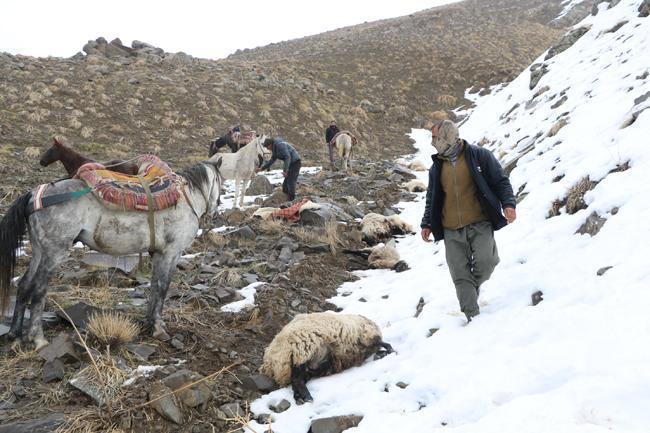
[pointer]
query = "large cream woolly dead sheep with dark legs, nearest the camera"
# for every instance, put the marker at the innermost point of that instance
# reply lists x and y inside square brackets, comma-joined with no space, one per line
[320,344]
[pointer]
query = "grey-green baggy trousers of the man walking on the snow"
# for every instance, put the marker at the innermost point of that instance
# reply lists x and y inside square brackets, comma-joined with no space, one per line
[472,255]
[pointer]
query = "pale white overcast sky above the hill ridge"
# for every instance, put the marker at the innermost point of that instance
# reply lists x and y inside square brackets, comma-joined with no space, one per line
[210,29]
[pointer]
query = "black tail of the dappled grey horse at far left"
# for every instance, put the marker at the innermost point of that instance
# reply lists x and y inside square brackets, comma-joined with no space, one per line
[12,231]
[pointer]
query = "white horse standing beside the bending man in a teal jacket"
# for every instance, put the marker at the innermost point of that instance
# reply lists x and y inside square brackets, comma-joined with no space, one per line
[240,166]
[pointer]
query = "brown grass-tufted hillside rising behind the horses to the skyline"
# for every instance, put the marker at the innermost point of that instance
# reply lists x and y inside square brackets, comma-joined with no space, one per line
[377,79]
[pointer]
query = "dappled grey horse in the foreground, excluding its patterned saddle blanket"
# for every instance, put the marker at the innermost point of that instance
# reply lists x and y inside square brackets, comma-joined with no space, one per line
[54,229]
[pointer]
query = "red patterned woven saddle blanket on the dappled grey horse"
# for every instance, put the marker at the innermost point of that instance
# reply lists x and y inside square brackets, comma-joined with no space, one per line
[124,192]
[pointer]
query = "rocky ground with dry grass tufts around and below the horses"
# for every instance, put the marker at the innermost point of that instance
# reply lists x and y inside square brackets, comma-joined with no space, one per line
[299,267]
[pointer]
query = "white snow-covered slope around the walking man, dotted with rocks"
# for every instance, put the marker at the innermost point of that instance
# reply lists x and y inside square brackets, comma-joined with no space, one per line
[580,360]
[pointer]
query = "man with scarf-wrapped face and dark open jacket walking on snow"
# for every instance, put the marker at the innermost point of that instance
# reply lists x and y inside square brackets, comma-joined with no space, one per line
[468,190]
